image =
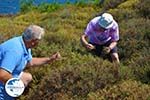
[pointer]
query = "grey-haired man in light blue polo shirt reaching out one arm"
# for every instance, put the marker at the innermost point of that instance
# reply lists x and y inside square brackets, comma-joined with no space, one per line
[15,55]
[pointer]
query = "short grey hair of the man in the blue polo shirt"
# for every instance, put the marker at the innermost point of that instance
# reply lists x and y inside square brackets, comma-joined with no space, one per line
[33,32]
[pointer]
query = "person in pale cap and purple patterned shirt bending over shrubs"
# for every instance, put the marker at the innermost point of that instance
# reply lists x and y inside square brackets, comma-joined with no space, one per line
[101,36]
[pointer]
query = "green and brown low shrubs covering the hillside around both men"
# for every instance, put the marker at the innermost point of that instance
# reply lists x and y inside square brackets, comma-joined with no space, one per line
[79,75]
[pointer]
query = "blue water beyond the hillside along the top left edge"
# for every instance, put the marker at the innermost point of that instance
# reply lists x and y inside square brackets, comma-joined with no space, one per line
[13,6]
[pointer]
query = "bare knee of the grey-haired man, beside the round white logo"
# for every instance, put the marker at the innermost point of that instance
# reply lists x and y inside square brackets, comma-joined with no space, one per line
[26,78]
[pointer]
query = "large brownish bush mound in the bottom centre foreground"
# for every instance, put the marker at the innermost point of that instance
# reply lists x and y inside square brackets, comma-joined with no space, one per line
[77,79]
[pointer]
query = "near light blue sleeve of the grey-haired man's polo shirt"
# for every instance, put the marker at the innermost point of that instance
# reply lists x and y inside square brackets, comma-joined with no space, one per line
[9,61]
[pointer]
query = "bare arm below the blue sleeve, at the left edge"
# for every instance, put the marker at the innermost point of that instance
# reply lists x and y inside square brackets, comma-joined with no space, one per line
[4,75]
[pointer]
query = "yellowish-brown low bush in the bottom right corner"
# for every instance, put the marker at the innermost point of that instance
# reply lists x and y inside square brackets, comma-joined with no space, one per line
[128,90]
